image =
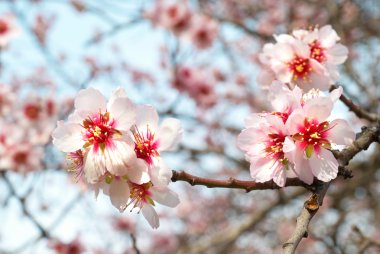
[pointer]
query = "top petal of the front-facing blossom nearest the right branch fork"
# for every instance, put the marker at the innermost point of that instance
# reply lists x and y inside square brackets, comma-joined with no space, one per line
[318,108]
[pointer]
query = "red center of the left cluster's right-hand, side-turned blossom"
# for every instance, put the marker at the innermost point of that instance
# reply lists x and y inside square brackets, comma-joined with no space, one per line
[145,145]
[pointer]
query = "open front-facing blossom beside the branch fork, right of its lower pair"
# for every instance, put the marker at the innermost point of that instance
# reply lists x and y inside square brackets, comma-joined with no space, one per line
[313,137]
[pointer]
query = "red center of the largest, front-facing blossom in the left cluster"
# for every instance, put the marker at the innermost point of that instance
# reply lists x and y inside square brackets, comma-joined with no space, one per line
[99,130]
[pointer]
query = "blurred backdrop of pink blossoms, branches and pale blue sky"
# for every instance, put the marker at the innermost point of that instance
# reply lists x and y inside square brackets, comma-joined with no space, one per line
[193,60]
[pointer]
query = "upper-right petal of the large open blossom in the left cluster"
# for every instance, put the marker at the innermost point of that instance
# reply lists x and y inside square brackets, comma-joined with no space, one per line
[123,111]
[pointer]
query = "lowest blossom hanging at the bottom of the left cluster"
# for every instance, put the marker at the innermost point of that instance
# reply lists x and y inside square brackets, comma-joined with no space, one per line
[145,195]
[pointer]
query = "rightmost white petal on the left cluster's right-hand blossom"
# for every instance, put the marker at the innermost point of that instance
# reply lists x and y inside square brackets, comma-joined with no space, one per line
[169,134]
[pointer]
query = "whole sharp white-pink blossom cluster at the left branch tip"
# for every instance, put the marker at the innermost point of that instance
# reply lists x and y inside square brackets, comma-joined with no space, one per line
[115,146]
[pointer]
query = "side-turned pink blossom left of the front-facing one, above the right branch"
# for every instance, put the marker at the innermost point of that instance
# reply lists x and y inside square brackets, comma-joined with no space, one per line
[263,141]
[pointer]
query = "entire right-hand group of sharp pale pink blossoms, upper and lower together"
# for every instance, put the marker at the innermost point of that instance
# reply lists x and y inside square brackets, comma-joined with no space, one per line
[297,138]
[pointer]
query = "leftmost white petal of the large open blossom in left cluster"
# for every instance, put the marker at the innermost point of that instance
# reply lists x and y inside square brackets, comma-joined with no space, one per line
[68,137]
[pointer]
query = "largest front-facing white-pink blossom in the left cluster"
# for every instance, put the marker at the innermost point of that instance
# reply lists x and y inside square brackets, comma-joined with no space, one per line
[101,131]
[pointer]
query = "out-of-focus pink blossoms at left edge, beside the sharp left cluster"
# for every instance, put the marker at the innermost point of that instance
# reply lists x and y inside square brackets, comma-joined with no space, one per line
[26,121]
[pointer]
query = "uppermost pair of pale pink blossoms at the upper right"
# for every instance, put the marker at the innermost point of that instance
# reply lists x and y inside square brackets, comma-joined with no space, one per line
[307,58]
